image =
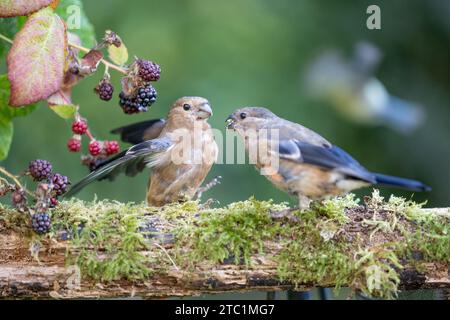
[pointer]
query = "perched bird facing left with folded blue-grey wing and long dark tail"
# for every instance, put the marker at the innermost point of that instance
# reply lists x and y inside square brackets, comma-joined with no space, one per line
[307,165]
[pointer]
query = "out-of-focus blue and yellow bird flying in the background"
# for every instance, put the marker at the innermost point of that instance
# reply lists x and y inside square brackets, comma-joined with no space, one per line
[350,86]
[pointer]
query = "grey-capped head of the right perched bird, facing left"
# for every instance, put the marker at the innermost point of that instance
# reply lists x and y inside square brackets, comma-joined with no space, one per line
[250,118]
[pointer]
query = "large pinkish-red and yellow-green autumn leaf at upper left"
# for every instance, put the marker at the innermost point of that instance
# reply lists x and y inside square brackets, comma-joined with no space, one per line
[37,58]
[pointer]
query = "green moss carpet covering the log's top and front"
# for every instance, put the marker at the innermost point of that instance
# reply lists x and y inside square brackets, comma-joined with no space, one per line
[337,242]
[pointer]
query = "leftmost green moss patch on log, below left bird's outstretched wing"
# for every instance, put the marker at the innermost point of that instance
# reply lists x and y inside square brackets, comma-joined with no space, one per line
[107,239]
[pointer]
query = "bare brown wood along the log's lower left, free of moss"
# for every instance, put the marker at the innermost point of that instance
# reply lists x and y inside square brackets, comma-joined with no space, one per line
[22,276]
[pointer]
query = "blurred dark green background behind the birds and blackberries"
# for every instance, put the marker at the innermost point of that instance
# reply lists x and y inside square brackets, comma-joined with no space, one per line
[254,52]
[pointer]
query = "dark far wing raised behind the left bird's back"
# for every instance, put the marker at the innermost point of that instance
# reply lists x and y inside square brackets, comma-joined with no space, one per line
[141,131]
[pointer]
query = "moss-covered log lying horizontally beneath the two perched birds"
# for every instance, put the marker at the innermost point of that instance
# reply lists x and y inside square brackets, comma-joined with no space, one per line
[187,250]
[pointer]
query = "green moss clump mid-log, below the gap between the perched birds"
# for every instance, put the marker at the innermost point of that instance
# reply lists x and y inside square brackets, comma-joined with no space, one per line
[237,232]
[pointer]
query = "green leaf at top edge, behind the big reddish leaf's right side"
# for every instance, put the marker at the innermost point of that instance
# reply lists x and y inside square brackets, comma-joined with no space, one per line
[72,12]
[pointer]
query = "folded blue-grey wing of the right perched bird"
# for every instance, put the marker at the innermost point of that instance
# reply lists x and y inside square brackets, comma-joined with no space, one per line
[332,157]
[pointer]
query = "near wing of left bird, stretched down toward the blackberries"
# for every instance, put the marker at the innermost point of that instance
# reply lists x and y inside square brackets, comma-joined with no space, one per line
[128,161]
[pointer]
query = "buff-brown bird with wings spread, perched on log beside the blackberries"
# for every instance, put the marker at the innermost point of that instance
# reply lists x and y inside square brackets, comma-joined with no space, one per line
[180,151]
